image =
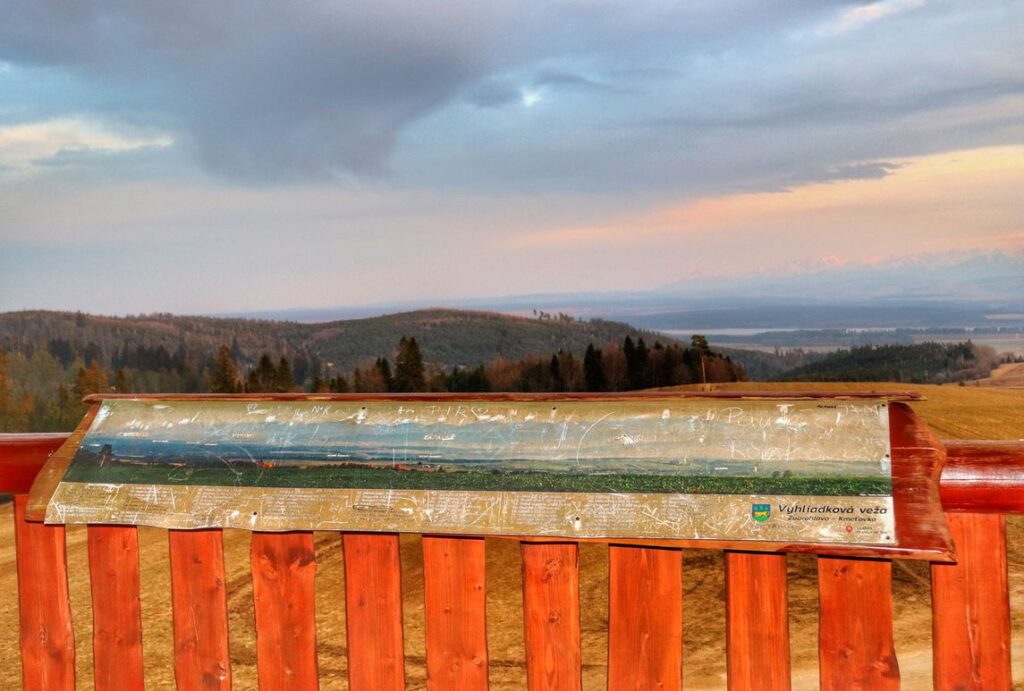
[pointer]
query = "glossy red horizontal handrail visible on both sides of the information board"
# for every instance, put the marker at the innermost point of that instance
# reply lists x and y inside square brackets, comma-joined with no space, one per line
[978,477]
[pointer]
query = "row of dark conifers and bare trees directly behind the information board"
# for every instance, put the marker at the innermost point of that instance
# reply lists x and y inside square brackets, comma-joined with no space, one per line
[42,391]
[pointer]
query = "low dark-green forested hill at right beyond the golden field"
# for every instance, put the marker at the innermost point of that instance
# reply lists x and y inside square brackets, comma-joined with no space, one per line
[920,364]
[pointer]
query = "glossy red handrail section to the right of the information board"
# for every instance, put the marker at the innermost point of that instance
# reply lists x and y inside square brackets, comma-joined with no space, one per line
[984,478]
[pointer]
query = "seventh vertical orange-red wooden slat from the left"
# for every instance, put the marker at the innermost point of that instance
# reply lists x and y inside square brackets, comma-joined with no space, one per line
[551,616]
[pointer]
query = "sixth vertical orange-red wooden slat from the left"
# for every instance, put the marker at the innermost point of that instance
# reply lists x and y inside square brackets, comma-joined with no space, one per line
[455,610]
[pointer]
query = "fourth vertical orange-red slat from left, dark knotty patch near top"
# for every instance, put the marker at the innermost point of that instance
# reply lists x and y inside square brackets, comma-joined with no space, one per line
[284,593]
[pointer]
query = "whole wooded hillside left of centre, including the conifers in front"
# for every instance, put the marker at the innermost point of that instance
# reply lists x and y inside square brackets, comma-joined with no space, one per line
[50,362]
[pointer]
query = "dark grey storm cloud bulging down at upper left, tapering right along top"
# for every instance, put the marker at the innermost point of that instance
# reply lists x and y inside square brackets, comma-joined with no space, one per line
[275,92]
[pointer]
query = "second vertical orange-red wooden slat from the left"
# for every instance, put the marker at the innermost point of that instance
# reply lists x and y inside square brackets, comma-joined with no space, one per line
[117,611]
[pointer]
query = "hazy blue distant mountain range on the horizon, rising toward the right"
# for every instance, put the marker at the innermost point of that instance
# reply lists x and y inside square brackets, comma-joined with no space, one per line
[958,282]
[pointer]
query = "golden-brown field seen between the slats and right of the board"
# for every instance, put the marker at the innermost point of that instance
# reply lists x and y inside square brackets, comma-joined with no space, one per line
[973,413]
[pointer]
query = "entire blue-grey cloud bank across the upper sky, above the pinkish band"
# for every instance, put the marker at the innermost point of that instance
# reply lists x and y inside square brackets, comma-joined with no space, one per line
[702,96]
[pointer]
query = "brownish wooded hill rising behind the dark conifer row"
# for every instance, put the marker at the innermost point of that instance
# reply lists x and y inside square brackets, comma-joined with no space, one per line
[447,337]
